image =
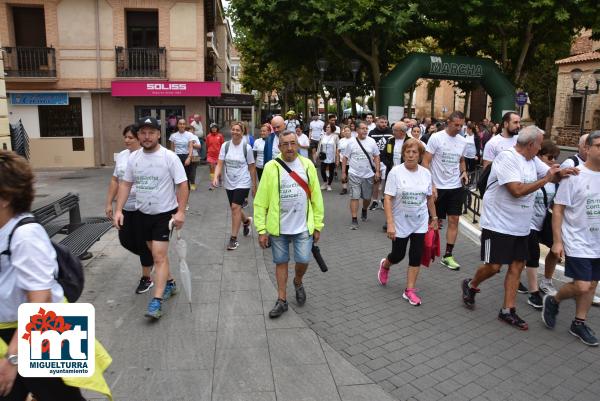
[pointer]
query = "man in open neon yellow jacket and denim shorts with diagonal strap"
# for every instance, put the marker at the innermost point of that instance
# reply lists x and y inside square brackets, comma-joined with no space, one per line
[288,209]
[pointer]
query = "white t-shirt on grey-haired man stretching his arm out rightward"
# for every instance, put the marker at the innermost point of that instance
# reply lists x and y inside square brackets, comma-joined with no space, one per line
[502,212]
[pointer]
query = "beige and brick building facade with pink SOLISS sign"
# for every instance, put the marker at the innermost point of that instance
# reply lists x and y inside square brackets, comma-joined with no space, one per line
[79,71]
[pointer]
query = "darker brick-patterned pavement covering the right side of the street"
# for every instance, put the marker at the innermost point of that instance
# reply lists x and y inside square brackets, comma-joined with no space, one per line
[439,350]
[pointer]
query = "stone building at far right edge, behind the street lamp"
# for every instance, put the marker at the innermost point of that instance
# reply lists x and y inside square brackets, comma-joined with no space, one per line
[568,107]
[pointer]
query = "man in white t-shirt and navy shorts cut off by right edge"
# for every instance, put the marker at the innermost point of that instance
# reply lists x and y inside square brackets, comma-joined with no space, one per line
[576,232]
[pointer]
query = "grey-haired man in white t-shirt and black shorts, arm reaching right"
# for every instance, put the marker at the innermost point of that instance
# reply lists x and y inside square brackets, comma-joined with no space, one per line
[508,207]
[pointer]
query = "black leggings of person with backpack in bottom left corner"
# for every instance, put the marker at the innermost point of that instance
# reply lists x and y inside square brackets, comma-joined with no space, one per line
[43,388]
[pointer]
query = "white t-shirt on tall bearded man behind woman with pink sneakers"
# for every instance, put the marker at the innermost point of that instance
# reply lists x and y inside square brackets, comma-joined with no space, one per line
[445,162]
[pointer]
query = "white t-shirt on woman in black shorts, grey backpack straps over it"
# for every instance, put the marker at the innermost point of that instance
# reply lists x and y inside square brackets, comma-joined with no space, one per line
[235,166]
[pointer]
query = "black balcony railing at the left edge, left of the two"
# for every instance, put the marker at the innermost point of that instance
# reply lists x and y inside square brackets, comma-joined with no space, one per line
[29,62]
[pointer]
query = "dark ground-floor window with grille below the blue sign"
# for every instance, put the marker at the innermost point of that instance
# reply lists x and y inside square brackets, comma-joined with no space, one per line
[61,121]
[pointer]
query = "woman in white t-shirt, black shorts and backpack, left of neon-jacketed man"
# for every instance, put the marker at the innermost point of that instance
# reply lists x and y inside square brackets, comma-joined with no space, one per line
[236,164]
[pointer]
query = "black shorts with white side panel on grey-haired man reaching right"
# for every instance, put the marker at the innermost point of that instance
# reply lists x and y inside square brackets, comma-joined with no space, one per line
[502,249]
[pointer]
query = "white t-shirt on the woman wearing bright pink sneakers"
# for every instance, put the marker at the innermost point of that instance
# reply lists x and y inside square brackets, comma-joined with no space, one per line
[410,190]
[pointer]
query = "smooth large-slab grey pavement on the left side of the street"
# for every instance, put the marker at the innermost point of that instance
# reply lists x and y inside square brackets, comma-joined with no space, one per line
[226,349]
